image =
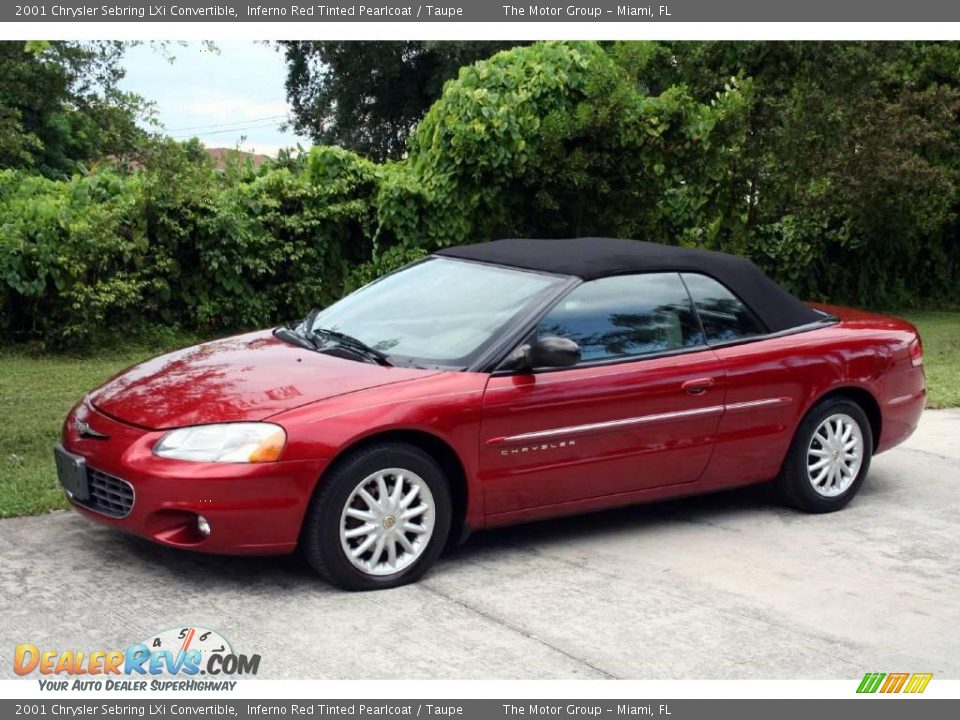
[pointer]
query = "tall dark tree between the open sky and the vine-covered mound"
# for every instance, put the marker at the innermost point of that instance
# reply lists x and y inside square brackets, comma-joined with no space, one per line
[367,96]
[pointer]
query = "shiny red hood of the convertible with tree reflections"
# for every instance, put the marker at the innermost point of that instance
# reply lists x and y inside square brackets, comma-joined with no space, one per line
[247,377]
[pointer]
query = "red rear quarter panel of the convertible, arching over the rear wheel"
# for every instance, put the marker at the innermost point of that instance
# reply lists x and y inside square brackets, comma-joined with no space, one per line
[863,350]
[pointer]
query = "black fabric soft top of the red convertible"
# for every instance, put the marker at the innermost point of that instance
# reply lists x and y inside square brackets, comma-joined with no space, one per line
[591,258]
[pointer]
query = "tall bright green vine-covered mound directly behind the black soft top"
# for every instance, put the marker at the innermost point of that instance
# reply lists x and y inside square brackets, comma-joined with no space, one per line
[558,140]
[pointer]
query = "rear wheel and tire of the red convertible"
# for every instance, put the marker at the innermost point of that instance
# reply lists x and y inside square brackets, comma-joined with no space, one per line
[829,457]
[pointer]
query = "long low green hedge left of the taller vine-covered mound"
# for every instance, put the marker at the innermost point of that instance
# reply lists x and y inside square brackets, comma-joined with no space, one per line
[180,245]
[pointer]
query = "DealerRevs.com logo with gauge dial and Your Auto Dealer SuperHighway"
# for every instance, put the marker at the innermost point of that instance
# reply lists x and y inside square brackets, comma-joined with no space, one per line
[169,660]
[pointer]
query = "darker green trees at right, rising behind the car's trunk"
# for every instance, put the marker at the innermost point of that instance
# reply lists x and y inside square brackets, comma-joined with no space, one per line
[851,159]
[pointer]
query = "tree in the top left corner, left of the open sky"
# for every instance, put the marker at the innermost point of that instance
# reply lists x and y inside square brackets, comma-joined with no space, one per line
[60,107]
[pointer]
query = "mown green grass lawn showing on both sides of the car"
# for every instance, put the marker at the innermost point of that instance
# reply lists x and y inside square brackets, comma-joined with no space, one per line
[37,392]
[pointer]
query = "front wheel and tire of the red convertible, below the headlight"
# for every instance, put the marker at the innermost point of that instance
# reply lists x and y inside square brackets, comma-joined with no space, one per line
[378,519]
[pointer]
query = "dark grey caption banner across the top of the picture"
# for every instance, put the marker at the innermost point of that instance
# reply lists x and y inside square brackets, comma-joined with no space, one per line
[281,11]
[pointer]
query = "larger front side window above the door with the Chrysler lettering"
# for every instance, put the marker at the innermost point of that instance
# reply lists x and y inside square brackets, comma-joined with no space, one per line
[624,316]
